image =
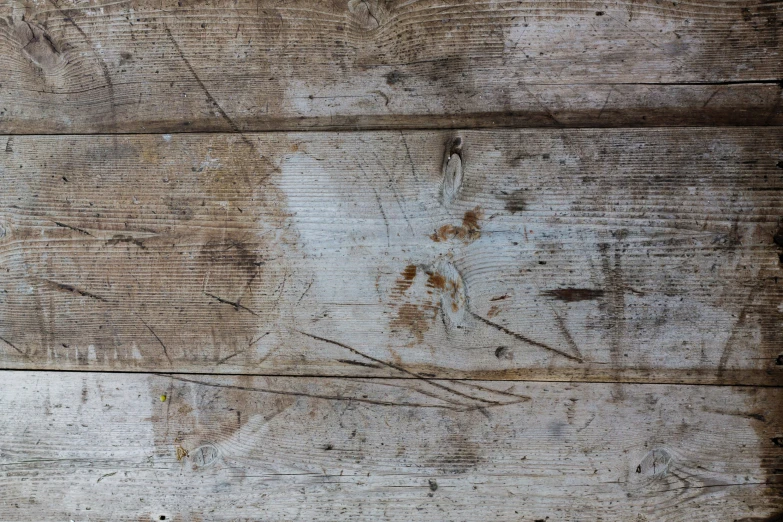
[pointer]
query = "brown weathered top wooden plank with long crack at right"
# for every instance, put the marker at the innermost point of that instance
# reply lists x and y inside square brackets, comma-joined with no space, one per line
[151,66]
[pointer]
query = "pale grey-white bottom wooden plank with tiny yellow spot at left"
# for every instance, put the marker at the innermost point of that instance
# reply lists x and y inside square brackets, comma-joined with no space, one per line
[254,448]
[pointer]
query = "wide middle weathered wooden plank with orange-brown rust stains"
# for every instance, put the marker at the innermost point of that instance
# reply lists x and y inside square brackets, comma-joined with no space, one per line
[609,255]
